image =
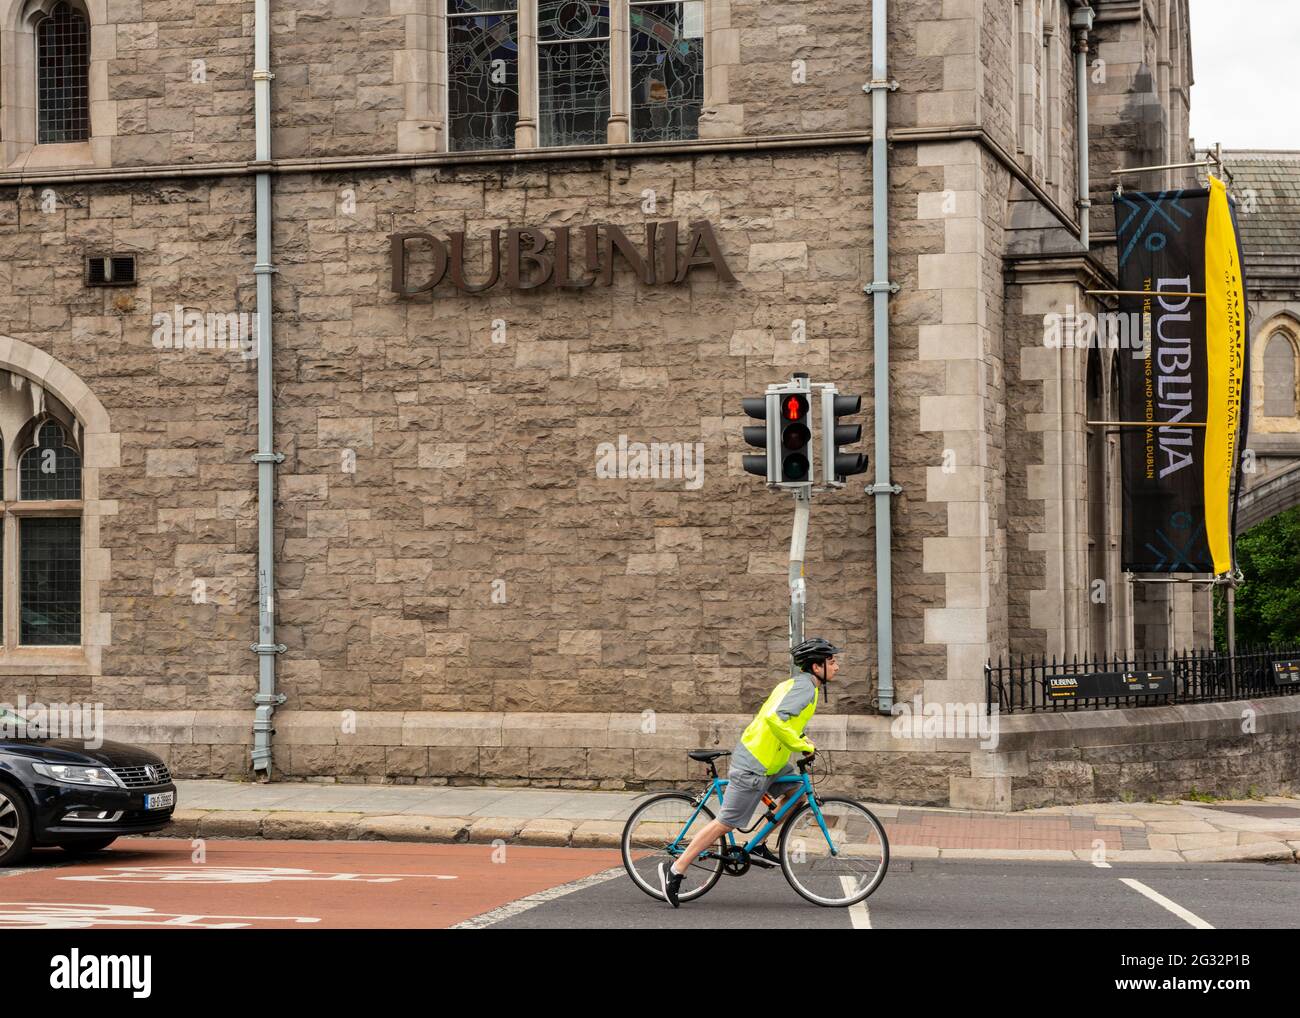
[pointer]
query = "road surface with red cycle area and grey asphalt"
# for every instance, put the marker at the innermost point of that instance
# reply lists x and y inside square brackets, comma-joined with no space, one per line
[151,883]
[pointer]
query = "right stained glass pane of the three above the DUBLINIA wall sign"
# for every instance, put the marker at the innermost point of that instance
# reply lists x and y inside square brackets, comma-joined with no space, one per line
[668,71]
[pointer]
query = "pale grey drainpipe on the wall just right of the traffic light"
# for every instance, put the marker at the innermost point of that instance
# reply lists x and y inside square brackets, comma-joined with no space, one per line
[881,289]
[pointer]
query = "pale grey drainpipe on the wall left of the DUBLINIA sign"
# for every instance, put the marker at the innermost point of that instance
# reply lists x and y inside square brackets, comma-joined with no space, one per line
[267,699]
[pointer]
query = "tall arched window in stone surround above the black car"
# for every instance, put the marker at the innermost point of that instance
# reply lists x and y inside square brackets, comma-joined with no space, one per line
[49,518]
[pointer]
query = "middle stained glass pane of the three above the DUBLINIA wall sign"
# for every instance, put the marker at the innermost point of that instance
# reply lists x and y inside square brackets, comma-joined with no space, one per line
[573,72]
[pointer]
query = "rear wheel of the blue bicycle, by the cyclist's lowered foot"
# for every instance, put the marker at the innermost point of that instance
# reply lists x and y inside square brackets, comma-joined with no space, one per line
[657,833]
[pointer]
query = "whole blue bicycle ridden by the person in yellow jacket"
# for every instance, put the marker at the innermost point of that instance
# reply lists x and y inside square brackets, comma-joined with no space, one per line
[833,851]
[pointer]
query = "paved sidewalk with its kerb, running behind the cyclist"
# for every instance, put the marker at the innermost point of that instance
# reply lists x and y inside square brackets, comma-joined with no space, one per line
[1263,830]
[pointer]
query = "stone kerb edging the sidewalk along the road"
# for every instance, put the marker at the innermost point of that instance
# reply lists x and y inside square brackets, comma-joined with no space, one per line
[293,825]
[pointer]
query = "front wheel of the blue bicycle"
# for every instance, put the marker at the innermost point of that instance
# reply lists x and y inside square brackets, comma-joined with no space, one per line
[839,860]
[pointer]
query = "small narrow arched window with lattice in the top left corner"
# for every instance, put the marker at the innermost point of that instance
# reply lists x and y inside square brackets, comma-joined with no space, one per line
[63,77]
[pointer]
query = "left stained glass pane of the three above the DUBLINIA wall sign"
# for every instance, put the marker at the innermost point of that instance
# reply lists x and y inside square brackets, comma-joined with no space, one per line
[483,75]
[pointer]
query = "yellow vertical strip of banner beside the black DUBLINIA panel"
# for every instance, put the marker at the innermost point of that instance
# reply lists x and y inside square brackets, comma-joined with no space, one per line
[1225,353]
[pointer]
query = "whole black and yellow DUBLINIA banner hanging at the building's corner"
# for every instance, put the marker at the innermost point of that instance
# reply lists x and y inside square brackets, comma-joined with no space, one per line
[1181,250]
